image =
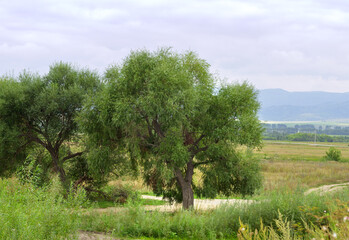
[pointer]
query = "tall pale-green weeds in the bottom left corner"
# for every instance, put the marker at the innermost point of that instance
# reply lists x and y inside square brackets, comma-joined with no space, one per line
[35,213]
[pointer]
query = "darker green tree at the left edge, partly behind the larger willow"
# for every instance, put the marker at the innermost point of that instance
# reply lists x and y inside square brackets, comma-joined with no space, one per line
[41,112]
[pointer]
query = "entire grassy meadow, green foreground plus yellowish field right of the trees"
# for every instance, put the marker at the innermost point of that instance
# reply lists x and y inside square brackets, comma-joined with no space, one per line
[280,206]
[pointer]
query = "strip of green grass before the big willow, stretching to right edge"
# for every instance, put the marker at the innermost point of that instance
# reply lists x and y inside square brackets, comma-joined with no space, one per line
[223,222]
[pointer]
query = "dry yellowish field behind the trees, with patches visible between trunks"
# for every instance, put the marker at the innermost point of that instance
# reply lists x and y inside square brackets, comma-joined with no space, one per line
[284,165]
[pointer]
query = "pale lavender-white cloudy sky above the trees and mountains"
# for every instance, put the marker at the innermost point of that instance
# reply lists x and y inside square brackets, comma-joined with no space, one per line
[296,45]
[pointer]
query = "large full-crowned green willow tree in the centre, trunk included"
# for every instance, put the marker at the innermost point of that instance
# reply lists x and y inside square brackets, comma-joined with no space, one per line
[166,110]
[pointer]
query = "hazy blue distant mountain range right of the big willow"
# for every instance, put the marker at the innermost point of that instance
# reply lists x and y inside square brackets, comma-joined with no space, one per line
[280,105]
